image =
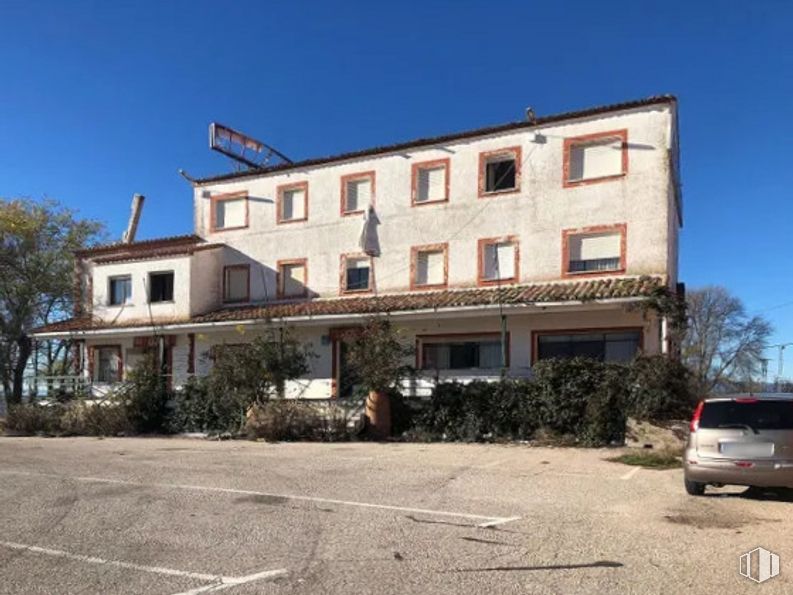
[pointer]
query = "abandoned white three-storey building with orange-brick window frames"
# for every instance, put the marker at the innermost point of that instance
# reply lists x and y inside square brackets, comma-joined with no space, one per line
[562,224]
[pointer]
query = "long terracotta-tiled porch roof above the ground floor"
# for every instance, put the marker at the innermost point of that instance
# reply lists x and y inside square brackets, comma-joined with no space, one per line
[590,290]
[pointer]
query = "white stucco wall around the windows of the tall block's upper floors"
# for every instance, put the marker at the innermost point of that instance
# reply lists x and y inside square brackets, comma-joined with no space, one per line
[537,214]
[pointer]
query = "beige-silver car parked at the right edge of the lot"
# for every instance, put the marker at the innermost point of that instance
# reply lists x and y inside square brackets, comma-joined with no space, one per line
[740,440]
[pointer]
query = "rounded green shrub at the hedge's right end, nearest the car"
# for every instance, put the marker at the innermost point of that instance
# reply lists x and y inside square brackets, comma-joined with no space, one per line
[659,388]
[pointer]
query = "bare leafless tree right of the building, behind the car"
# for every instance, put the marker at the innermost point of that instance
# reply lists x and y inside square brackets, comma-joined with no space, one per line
[724,345]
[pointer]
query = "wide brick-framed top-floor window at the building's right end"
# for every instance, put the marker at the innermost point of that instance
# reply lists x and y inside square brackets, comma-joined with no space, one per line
[595,157]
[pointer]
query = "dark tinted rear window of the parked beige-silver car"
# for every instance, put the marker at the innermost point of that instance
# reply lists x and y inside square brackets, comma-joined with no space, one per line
[759,415]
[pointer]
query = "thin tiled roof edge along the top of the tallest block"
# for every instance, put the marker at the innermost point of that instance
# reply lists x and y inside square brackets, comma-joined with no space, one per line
[420,142]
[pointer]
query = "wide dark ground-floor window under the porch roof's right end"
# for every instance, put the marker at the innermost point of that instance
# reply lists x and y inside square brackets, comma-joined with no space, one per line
[610,346]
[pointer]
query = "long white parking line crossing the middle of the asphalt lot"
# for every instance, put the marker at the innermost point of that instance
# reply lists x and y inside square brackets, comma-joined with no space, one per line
[486,519]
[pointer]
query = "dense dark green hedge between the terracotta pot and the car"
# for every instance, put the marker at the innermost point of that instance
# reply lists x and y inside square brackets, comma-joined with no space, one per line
[581,400]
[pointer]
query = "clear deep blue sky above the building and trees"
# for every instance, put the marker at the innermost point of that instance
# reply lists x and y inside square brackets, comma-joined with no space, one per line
[102,99]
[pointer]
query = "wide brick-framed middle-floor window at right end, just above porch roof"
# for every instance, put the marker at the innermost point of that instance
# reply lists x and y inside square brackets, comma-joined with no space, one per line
[594,251]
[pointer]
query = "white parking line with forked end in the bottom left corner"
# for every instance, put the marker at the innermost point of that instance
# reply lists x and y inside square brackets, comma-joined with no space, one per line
[219,582]
